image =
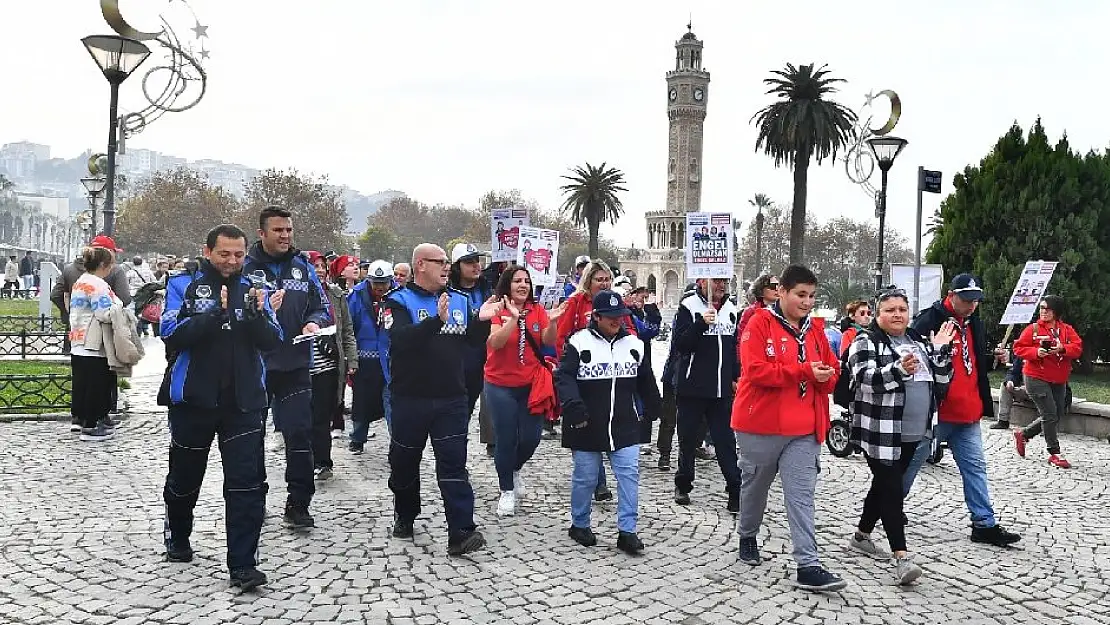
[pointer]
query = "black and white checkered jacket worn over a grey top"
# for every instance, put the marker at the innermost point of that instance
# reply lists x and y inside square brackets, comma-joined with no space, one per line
[881,391]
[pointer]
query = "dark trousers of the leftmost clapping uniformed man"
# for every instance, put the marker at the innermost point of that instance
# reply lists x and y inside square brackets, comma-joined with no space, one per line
[245,476]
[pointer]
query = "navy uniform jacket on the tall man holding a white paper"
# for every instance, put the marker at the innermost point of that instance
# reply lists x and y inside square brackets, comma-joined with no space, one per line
[305,303]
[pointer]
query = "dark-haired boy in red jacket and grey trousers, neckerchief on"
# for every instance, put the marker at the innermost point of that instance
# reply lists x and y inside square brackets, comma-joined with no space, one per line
[781,416]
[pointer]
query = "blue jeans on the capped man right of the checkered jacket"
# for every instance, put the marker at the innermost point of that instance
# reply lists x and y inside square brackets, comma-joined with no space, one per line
[965,442]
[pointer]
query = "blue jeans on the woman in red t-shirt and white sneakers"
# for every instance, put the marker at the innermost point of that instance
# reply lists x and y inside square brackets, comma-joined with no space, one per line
[517,432]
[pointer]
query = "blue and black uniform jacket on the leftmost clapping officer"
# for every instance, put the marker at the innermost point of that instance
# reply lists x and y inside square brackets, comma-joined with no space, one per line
[206,344]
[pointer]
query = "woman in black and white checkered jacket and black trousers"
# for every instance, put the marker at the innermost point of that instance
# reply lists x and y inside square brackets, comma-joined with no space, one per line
[897,376]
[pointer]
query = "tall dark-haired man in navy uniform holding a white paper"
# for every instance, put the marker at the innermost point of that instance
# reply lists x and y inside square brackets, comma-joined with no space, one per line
[275,264]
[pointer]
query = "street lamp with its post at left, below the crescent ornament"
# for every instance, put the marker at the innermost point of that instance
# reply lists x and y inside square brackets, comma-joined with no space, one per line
[117,57]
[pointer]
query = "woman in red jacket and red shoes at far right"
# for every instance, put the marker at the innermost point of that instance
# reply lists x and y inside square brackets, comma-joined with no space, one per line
[1048,348]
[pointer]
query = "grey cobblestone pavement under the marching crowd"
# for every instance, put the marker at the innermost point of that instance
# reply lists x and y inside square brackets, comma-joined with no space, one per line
[80,542]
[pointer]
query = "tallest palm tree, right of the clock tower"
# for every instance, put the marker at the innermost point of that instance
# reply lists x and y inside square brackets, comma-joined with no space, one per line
[801,126]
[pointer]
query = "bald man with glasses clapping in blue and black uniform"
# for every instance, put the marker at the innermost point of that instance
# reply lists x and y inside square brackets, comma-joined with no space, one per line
[432,328]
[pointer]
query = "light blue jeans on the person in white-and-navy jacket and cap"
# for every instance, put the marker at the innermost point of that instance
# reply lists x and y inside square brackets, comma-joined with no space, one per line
[584,481]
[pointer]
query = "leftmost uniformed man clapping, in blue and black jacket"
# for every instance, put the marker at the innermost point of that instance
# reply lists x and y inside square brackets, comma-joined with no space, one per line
[217,326]
